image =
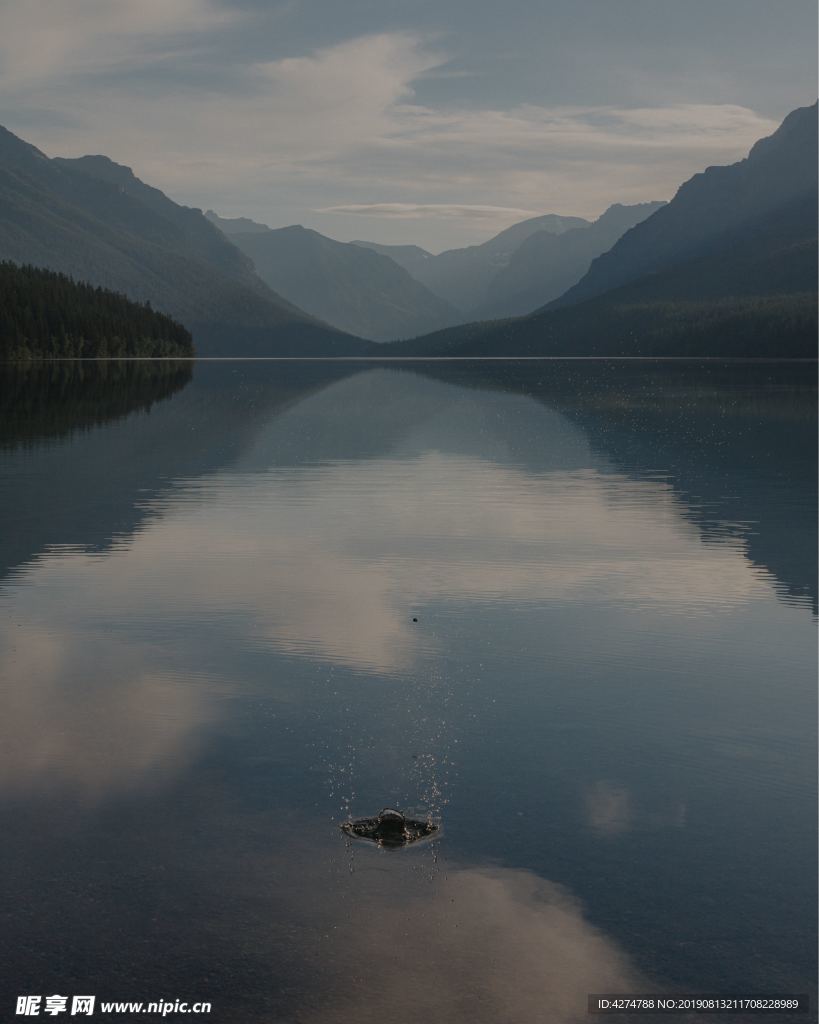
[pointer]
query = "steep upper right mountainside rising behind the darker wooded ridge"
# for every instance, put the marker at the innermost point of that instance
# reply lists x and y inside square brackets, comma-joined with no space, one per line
[779,170]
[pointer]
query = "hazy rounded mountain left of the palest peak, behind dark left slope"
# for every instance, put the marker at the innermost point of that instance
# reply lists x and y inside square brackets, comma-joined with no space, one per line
[353,288]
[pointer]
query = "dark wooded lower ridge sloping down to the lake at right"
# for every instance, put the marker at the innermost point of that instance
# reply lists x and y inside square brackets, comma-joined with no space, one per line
[754,302]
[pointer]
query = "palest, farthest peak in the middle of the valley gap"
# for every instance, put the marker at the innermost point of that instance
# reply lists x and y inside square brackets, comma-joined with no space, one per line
[461,277]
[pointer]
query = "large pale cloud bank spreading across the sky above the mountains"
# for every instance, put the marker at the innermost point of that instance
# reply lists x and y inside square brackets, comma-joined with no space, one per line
[330,136]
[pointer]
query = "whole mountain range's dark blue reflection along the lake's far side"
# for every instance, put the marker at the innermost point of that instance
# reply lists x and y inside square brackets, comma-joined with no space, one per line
[736,443]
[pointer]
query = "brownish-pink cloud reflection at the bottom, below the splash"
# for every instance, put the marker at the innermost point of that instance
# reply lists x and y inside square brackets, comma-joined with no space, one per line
[495,945]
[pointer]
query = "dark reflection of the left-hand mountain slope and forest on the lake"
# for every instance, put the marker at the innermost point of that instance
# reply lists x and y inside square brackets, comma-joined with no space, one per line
[85,449]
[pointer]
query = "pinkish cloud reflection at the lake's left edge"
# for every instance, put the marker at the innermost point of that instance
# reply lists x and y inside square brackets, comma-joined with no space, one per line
[92,717]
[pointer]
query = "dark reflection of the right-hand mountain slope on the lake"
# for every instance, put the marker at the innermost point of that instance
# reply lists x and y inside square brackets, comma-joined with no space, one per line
[737,442]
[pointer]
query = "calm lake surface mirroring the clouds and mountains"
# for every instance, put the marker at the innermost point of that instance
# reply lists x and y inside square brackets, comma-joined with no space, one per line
[209,660]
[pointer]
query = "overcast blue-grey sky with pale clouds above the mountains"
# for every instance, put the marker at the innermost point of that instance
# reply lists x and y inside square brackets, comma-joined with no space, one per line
[429,123]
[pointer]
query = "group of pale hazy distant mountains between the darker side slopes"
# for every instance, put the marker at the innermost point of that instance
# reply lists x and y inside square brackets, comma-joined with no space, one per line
[385,293]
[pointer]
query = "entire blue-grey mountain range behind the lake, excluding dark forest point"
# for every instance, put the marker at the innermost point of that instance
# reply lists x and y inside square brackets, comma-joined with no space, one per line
[728,267]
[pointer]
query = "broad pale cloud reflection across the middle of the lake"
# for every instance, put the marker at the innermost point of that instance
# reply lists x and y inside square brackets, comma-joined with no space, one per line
[329,562]
